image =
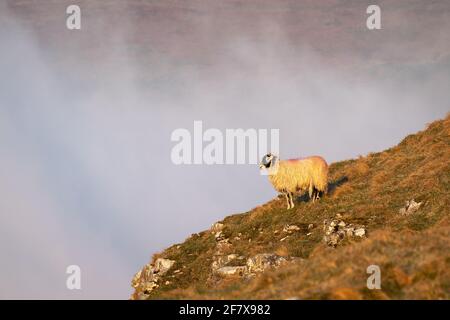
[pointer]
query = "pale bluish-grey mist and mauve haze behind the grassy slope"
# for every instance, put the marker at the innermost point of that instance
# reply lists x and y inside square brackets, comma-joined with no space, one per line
[86,117]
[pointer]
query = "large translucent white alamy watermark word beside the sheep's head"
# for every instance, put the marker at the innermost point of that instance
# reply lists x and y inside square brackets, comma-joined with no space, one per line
[212,146]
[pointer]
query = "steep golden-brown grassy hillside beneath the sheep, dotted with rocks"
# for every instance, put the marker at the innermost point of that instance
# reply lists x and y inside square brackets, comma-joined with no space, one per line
[412,250]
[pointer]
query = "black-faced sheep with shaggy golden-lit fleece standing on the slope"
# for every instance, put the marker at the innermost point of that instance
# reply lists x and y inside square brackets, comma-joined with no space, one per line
[293,175]
